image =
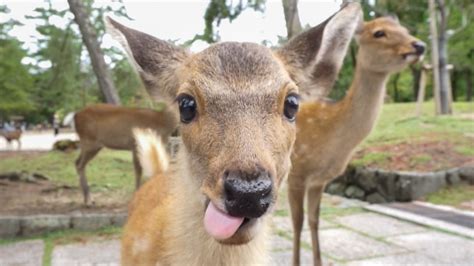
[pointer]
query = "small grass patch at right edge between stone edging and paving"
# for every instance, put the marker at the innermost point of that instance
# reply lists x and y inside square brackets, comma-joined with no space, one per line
[452,196]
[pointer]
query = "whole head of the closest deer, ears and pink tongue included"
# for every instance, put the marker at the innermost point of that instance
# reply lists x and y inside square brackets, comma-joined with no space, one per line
[237,105]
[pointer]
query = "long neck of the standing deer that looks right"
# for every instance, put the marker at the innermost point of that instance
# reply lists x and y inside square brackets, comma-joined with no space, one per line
[361,107]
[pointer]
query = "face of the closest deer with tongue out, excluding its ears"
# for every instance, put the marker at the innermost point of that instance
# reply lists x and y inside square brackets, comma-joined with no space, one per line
[237,108]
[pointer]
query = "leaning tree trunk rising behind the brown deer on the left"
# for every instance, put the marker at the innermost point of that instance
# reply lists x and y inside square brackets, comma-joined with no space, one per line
[89,38]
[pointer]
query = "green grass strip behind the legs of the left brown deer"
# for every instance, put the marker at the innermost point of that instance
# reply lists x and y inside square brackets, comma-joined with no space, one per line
[109,170]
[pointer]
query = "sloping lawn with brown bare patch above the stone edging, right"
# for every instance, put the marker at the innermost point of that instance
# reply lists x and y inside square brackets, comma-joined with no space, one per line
[403,141]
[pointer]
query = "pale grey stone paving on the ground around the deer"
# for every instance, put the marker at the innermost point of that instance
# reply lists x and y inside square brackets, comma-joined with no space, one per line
[349,235]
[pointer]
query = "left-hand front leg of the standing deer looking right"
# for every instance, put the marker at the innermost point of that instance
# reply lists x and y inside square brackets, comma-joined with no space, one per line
[296,199]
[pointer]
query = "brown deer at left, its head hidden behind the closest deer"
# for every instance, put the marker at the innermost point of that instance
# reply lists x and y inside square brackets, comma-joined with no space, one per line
[110,126]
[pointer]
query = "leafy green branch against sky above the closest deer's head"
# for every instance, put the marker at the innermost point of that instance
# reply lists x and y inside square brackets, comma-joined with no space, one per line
[218,10]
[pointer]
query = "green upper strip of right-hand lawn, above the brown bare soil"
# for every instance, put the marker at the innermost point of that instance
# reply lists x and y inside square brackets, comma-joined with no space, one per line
[398,123]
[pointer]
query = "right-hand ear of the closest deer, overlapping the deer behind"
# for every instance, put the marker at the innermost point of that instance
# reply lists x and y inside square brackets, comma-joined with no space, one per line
[314,57]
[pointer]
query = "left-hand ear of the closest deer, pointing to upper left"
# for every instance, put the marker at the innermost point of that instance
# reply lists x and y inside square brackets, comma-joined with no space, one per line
[157,61]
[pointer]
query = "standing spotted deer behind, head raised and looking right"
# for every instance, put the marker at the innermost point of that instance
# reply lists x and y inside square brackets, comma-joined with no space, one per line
[329,132]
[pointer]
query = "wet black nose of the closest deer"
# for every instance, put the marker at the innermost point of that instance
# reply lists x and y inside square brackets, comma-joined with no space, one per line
[247,194]
